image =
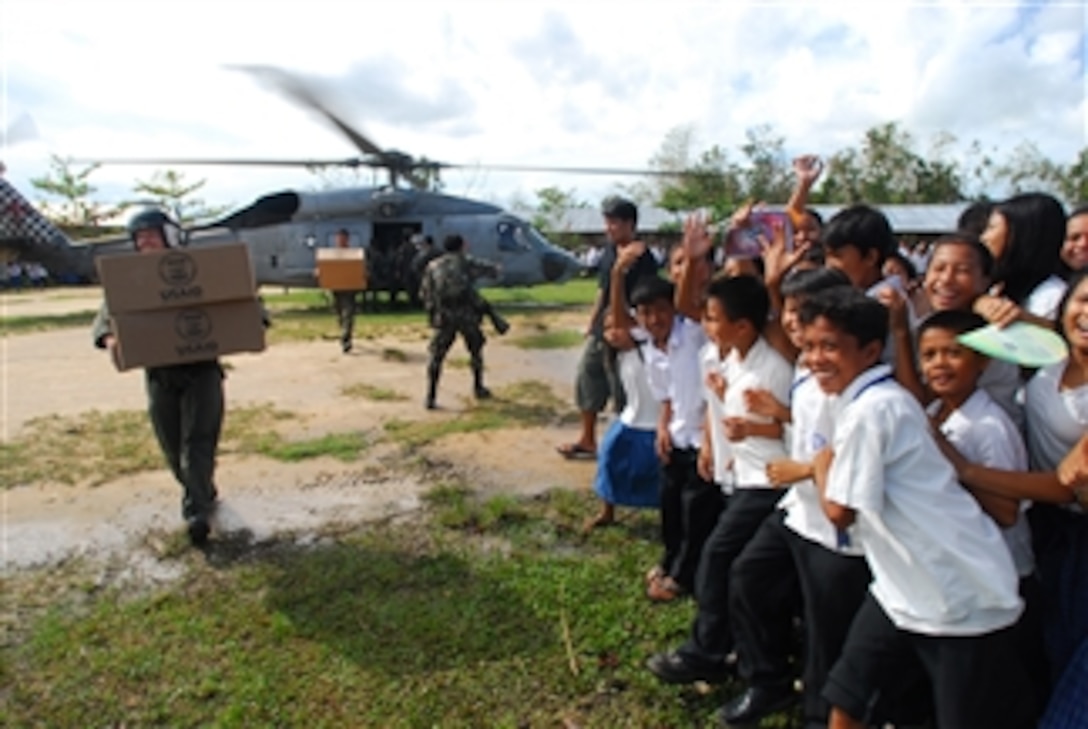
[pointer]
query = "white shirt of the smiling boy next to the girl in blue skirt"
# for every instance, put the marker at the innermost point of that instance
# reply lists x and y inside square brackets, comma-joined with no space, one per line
[674,376]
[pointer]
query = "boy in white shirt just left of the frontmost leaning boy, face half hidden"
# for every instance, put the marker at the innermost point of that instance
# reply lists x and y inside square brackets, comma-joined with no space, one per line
[798,549]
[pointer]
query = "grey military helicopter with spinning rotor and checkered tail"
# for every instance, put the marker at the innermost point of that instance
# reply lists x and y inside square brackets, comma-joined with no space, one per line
[285,229]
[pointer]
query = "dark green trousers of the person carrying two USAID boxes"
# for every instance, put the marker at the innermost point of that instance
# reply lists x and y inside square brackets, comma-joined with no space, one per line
[186,403]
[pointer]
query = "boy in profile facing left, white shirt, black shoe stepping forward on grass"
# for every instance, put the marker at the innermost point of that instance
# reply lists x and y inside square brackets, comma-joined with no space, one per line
[734,318]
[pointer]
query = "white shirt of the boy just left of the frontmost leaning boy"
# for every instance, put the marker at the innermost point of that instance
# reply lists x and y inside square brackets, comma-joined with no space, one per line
[811,433]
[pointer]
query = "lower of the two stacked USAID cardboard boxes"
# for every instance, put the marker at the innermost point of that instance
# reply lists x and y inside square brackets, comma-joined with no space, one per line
[188,335]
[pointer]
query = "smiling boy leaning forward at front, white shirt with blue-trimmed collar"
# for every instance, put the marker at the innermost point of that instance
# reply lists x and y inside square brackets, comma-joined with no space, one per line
[945,589]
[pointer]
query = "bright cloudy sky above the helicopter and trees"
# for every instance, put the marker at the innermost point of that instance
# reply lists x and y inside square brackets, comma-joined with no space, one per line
[590,83]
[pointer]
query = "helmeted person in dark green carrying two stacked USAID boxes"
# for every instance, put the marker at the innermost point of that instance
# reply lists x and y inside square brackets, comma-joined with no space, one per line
[186,402]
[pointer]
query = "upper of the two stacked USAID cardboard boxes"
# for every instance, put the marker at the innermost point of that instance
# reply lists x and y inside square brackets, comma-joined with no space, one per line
[179,277]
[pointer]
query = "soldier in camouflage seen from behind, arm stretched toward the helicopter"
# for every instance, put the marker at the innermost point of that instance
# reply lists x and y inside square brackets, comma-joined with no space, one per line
[454,306]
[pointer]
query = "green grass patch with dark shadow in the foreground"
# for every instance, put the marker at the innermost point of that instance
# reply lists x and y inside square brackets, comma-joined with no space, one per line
[510,622]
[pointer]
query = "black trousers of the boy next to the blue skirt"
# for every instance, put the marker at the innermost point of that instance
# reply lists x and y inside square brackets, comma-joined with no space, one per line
[690,508]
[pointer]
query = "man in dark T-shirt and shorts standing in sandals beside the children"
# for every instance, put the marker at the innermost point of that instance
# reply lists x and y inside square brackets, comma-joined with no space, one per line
[596,382]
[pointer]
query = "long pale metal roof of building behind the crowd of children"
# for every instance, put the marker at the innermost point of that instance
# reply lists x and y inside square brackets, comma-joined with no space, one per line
[905,219]
